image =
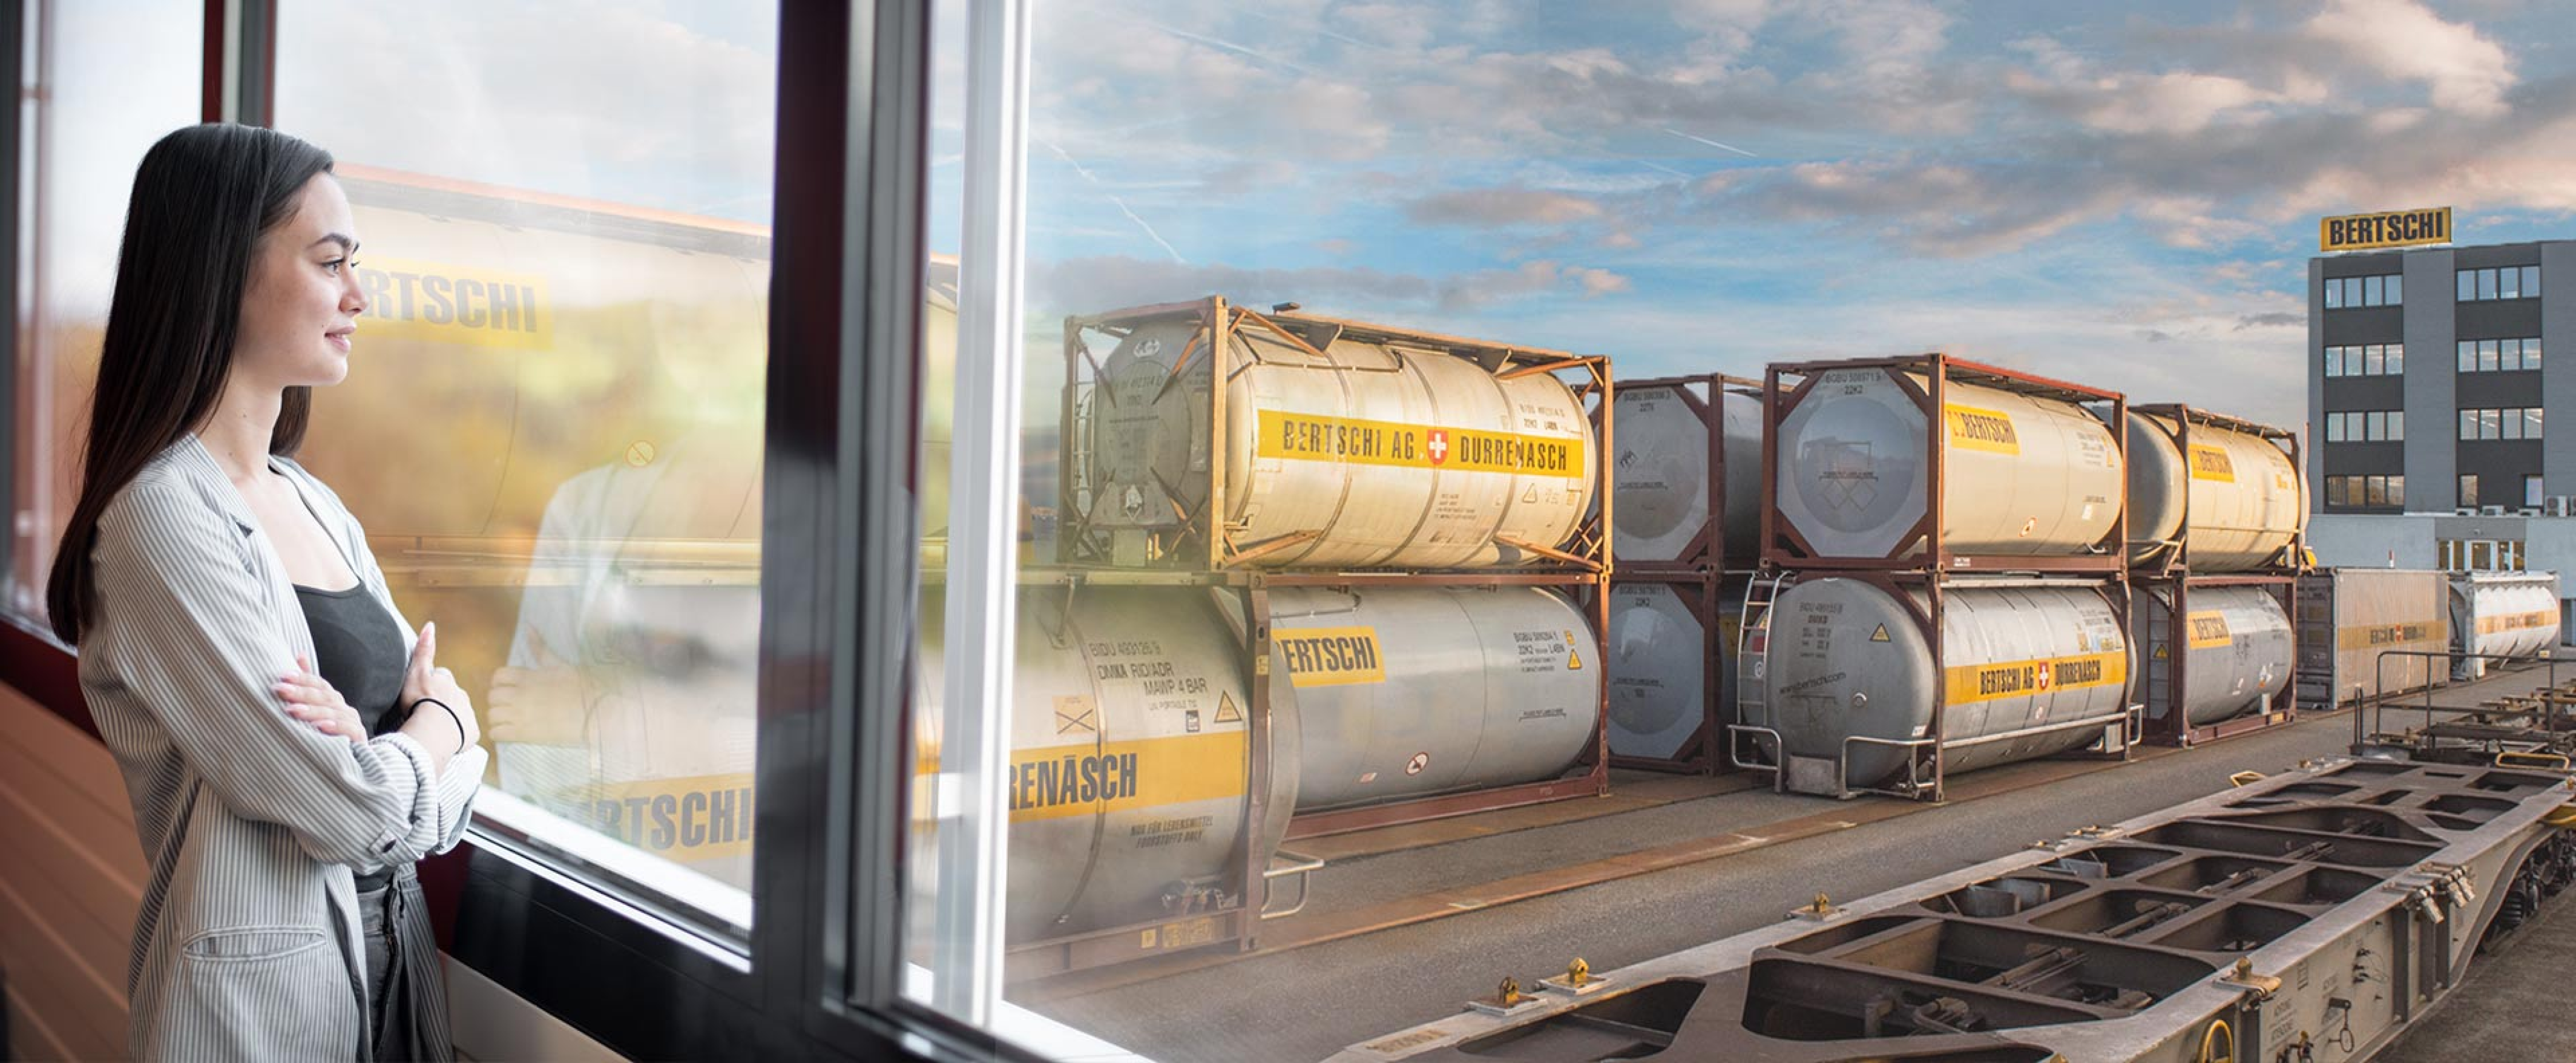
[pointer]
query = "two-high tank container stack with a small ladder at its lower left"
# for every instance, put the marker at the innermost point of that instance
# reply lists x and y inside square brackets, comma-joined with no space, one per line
[1944,579]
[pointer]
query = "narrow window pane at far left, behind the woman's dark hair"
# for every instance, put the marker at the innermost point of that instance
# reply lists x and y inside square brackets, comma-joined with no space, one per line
[109,84]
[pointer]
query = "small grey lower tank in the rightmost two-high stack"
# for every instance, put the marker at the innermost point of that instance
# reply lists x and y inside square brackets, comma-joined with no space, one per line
[2237,651]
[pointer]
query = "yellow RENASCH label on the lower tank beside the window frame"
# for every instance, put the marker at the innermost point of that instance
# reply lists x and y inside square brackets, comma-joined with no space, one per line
[1117,778]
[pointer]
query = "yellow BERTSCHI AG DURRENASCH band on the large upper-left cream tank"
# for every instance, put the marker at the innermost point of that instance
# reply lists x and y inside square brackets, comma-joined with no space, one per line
[1421,448]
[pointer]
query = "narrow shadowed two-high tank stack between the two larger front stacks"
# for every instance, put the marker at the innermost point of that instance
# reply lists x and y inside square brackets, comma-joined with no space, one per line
[1689,476]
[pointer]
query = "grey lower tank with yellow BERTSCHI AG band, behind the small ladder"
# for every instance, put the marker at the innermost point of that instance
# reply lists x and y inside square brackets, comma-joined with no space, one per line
[2029,672]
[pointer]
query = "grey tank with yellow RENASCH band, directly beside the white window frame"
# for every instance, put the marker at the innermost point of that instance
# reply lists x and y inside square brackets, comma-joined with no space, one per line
[1127,755]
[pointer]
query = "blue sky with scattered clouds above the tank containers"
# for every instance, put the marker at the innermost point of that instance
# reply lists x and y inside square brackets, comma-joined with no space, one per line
[2119,195]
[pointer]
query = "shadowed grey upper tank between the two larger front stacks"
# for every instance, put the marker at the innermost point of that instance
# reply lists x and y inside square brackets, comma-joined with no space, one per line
[1663,473]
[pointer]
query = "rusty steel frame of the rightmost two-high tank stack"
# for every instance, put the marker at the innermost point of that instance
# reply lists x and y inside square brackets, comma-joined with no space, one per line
[2173,571]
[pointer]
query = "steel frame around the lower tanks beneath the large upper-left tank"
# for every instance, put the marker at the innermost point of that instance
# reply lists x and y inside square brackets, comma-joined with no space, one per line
[1230,915]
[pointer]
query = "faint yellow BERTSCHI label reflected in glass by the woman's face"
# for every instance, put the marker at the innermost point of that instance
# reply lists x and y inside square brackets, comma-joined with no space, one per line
[444,303]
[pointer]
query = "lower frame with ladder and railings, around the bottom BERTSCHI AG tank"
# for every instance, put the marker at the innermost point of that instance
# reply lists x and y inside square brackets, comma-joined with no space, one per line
[1928,621]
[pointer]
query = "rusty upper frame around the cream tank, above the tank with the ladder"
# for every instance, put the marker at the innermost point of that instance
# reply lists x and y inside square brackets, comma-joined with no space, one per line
[1786,548]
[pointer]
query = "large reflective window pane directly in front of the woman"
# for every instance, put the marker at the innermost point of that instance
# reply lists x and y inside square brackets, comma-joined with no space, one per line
[568,259]
